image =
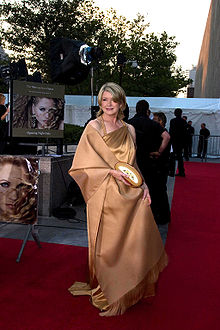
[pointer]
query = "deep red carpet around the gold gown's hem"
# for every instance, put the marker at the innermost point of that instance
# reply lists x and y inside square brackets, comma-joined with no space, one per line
[34,296]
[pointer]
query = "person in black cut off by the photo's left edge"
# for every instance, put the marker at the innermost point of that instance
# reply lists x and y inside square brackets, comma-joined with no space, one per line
[4,111]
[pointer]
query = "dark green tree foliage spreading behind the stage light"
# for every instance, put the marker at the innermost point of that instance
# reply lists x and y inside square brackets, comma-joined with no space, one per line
[28,26]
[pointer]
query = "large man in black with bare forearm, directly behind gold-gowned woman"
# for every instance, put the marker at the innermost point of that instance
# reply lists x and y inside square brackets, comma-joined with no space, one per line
[151,140]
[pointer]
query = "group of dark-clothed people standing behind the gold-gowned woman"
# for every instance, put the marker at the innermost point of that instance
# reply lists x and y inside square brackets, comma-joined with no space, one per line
[158,151]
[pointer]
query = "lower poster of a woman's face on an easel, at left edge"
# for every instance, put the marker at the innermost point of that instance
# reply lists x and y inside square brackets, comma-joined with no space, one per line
[18,189]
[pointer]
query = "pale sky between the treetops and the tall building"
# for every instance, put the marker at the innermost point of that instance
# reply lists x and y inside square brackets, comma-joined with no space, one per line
[186,20]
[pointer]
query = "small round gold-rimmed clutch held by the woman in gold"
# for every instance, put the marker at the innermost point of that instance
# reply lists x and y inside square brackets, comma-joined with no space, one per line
[134,177]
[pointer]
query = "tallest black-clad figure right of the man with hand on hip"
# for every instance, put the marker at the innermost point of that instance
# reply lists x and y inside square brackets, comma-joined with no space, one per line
[178,137]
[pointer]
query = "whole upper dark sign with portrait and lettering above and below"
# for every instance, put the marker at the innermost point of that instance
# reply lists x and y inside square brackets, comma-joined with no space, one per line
[37,110]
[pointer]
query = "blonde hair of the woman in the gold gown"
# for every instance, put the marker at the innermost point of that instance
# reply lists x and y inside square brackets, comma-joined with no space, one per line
[118,95]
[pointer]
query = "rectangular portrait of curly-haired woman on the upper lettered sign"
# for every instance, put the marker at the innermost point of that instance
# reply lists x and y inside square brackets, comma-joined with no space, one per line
[38,112]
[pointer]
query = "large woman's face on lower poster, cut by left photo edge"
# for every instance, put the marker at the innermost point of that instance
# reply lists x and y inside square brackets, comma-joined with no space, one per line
[12,180]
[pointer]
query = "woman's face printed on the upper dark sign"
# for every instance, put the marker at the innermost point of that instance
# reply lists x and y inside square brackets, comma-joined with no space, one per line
[44,112]
